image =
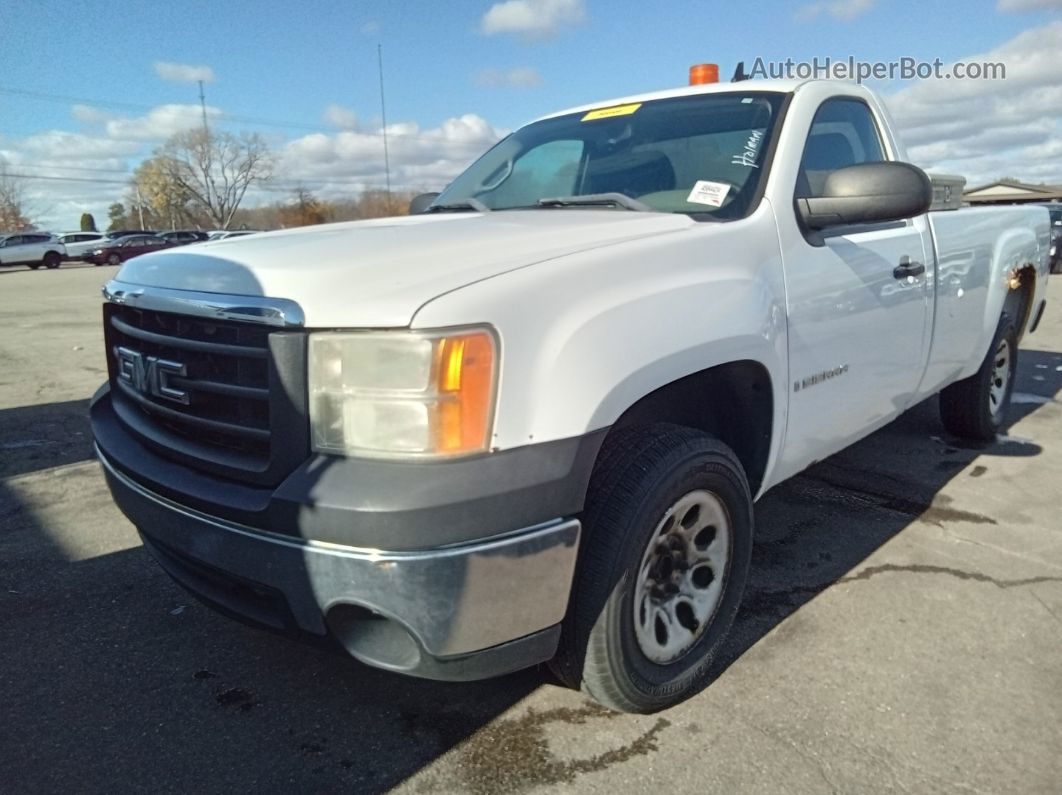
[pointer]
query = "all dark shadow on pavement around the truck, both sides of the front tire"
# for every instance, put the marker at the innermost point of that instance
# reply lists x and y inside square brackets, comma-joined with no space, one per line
[112,678]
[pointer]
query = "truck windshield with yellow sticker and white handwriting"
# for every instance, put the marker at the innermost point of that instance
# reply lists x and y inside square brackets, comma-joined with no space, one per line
[701,155]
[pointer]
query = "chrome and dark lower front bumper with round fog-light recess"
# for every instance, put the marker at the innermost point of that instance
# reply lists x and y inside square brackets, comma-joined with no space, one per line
[463,612]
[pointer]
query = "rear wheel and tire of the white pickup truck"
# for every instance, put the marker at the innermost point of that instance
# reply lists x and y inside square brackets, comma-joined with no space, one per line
[977,407]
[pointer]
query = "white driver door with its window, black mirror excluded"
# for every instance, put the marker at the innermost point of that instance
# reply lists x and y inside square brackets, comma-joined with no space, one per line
[858,325]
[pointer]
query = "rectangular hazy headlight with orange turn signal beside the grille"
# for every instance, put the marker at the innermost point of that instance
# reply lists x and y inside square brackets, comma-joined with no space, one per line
[402,394]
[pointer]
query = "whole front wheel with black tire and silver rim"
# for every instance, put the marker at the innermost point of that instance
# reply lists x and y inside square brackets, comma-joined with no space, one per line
[667,541]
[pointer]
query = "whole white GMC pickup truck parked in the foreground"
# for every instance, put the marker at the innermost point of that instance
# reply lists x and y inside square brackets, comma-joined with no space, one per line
[529,423]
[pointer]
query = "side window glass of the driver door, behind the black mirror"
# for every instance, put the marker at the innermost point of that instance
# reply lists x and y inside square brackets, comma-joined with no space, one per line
[844,133]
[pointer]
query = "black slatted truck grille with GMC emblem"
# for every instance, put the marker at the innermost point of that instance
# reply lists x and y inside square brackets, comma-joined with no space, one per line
[222,396]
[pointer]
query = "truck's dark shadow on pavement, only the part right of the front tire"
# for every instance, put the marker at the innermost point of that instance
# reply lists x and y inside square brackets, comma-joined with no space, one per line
[818,527]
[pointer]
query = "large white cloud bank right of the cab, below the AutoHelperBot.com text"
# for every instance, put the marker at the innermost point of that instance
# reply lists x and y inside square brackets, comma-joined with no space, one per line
[988,129]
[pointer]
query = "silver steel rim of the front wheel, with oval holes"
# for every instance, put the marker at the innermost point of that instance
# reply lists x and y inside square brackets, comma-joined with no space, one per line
[682,577]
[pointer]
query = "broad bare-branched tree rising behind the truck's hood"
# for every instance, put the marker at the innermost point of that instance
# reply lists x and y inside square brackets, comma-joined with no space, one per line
[215,169]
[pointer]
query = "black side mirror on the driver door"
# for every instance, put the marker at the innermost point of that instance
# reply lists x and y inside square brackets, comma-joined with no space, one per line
[868,194]
